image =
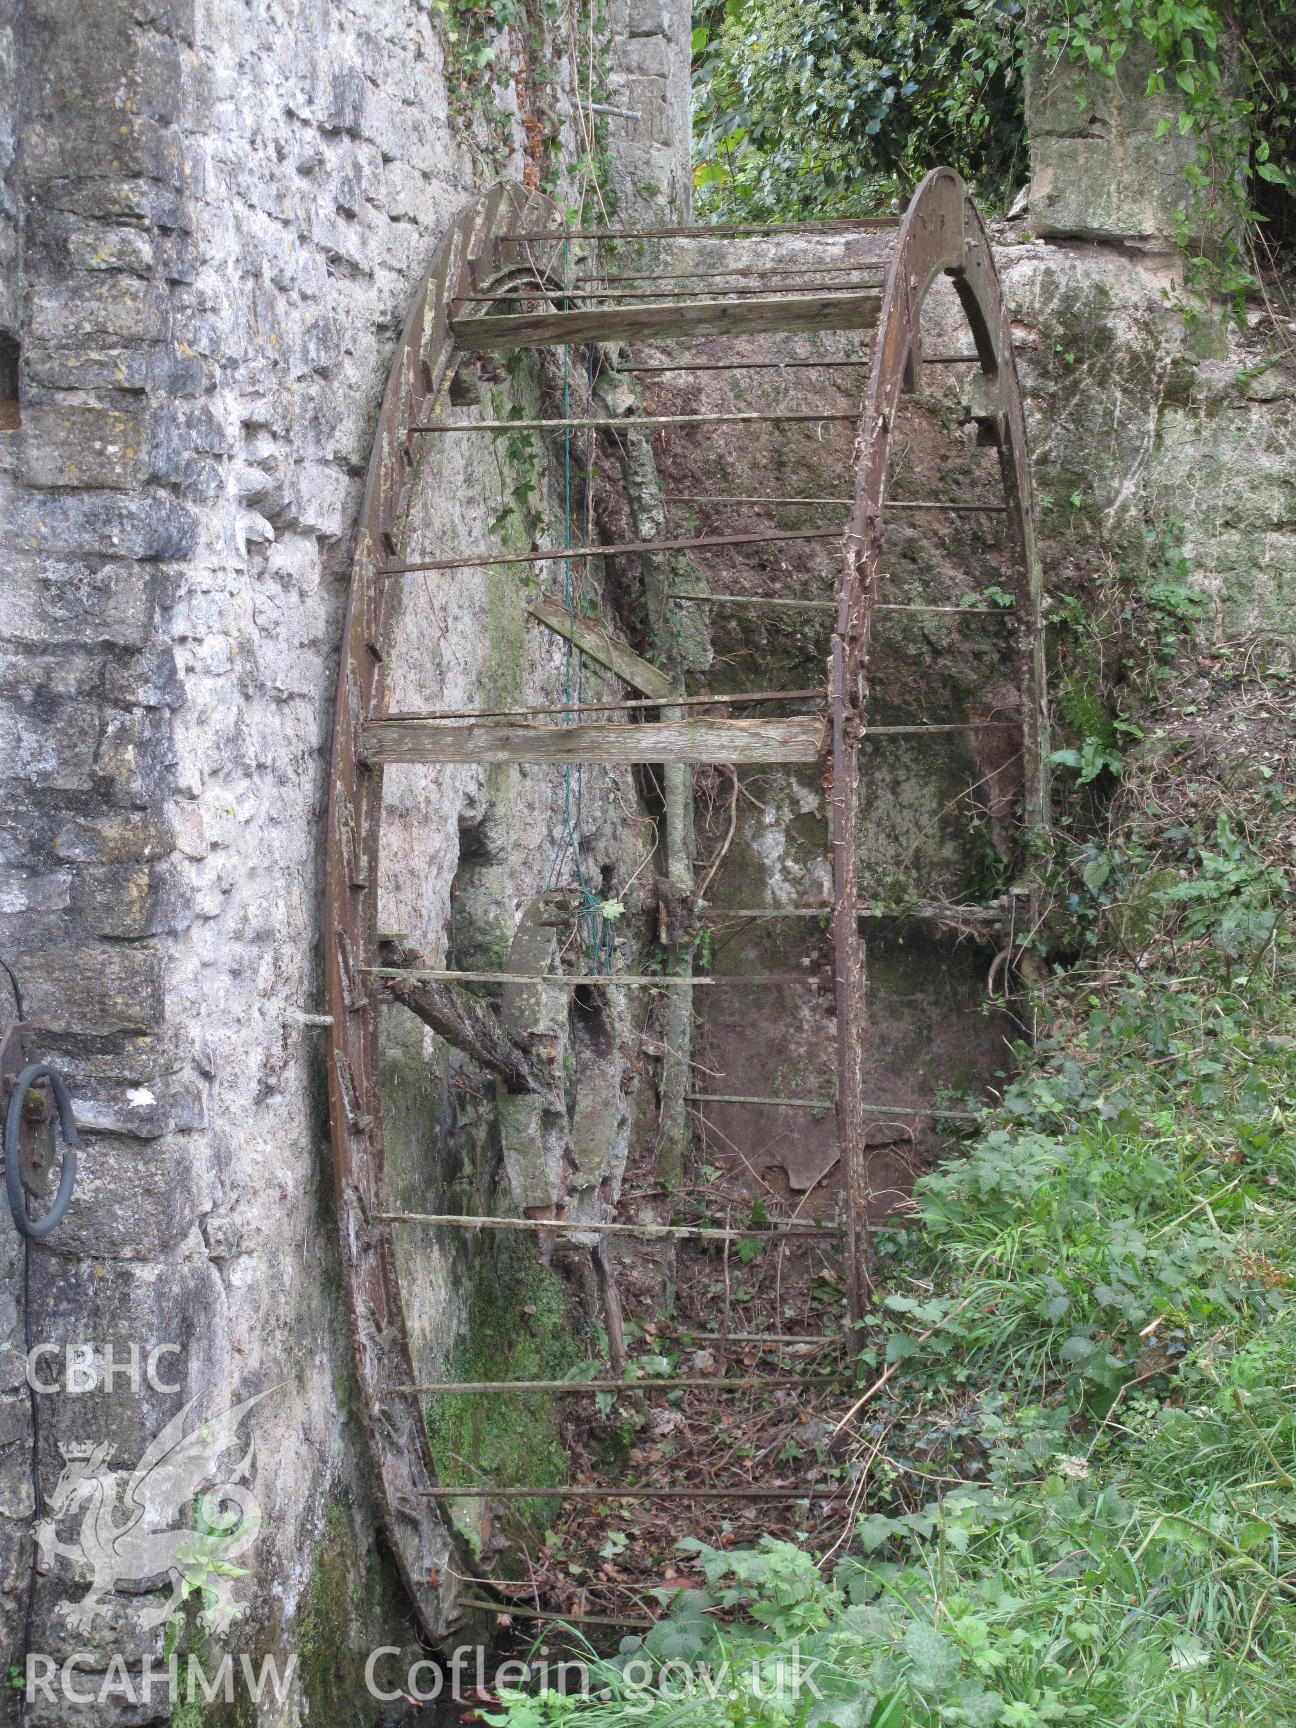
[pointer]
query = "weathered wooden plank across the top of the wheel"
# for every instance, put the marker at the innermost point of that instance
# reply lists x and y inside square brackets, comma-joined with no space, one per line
[664,321]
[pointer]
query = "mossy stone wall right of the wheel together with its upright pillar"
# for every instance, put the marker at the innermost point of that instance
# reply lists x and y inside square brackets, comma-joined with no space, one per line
[1145,421]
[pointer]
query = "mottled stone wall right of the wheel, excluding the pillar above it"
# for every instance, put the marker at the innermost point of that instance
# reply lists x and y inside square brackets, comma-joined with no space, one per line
[1140,431]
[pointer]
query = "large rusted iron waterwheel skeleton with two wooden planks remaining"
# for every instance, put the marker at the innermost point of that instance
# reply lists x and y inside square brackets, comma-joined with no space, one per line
[535,338]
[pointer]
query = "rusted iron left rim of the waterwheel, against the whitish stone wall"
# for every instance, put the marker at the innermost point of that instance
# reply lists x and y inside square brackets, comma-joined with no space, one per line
[471,260]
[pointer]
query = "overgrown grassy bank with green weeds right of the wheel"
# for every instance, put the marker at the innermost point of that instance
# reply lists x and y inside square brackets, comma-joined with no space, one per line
[1079,1483]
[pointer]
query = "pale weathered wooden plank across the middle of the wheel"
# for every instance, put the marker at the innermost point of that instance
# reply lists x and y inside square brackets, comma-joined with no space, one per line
[796,740]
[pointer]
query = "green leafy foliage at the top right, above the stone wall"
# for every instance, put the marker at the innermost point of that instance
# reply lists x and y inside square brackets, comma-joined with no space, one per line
[823,108]
